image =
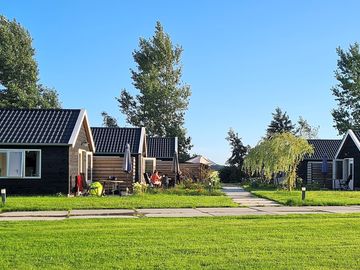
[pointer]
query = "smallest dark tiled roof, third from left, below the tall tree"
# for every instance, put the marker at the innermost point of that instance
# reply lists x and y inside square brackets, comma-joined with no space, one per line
[161,147]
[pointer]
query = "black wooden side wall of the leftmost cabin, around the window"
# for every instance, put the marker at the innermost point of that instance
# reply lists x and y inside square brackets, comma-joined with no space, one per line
[54,173]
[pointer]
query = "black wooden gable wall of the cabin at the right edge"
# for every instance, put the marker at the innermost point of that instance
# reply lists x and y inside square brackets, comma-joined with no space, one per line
[350,150]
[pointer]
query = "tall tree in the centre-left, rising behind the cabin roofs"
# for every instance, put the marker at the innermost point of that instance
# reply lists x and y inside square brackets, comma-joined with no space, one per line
[163,99]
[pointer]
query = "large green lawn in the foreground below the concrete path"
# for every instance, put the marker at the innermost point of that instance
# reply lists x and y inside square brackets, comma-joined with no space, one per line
[286,242]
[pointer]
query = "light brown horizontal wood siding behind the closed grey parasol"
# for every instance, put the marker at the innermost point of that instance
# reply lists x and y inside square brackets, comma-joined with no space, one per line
[106,166]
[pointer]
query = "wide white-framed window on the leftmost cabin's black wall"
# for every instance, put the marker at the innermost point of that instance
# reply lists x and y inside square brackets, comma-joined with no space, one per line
[20,163]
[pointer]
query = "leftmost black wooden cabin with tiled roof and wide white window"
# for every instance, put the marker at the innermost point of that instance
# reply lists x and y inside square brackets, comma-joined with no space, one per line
[43,150]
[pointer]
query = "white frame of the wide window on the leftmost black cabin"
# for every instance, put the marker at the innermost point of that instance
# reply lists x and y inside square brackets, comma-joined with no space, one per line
[23,152]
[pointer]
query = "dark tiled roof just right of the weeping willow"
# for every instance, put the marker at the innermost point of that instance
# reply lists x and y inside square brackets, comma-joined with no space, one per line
[324,148]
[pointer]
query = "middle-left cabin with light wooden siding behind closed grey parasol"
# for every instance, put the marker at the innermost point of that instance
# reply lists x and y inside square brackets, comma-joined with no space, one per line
[109,156]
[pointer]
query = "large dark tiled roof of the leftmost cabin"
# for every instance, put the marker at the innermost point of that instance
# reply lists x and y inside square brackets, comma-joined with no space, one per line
[37,126]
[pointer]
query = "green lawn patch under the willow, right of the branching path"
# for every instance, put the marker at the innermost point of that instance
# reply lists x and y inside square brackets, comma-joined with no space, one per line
[322,197]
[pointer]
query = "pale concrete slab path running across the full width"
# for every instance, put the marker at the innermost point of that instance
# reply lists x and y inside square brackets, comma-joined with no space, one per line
[181,213]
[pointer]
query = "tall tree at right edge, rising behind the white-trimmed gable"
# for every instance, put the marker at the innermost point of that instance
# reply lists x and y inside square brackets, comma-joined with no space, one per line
[347,91]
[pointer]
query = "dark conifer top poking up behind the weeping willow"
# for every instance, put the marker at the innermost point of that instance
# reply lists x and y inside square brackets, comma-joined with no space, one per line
[279,124]
